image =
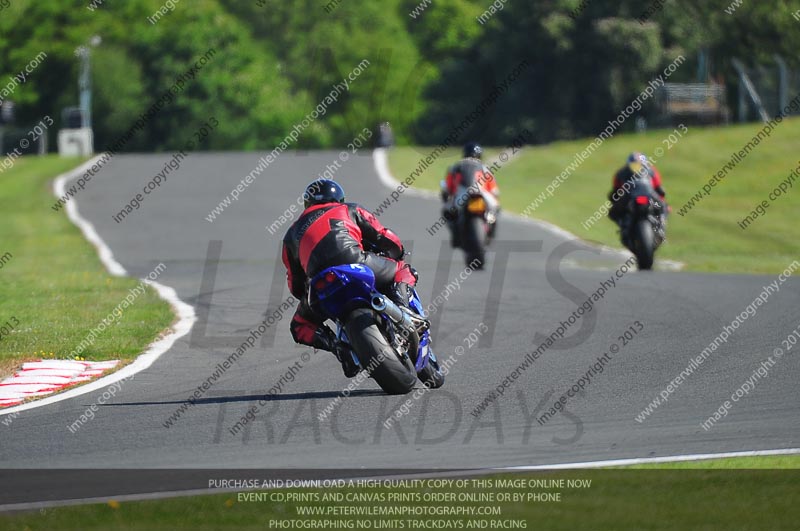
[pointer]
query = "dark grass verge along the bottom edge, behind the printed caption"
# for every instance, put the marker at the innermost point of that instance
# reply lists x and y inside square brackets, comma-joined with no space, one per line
[599,499]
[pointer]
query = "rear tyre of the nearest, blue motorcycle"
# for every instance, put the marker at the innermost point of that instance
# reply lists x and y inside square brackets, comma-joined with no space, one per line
[395,376]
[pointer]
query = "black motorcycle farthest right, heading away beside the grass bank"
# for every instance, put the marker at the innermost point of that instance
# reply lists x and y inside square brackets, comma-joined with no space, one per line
[644,223]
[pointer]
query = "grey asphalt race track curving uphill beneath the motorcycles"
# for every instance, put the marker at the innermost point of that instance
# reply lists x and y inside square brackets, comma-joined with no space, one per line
[227,271]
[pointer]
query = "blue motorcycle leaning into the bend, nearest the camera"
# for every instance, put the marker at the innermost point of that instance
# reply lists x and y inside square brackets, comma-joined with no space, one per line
[389,342]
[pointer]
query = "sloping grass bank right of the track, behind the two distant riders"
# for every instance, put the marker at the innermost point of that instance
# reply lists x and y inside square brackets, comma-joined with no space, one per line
[707,238]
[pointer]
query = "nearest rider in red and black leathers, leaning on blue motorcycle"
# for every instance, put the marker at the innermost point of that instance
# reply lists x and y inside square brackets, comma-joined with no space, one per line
[331,232]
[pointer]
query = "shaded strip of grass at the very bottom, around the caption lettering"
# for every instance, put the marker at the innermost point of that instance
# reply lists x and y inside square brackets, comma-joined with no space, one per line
[616,499]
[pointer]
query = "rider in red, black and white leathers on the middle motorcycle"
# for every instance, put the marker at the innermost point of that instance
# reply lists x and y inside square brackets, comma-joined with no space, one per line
[468,173]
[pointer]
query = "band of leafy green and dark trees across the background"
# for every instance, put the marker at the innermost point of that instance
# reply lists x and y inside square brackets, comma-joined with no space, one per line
[274,62]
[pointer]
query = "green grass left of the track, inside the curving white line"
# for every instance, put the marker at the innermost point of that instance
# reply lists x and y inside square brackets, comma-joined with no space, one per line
[54,283]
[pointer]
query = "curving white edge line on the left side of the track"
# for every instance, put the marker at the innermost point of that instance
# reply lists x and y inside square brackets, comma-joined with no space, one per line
[185,312]
